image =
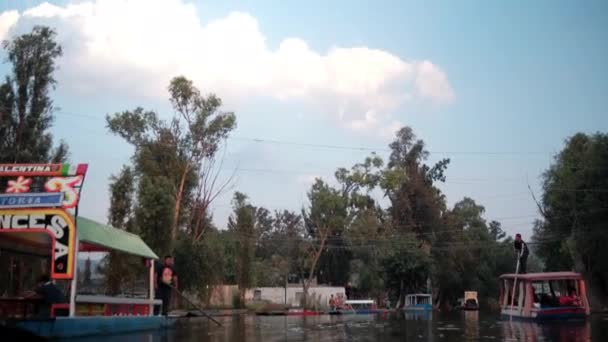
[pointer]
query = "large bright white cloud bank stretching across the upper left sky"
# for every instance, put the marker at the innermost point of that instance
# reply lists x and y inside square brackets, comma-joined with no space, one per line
[138,45]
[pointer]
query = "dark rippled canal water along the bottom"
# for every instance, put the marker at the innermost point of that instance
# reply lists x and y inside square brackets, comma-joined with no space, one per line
[462,326]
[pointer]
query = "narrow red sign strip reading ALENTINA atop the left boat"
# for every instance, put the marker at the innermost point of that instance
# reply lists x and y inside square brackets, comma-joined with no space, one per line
[43,170]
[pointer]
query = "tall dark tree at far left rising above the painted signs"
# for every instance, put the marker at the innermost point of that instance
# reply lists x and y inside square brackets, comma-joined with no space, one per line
[26,109]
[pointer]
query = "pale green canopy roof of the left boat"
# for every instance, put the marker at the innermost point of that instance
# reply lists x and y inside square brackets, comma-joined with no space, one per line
[110,238]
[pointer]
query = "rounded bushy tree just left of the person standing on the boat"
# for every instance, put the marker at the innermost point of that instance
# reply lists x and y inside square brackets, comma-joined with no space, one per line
[475,253]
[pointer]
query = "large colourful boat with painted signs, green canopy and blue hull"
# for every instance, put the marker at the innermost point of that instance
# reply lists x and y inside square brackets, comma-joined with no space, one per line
[45,224]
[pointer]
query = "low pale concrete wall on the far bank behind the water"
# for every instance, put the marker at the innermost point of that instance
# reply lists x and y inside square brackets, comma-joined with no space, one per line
[317,295]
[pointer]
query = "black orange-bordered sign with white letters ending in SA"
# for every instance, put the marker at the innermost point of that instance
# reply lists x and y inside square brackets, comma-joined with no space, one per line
[55,222]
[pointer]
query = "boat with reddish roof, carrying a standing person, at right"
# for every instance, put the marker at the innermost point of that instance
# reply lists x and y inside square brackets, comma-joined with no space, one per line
[544,296]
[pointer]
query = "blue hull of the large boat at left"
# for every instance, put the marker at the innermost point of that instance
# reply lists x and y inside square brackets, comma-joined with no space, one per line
[63,327]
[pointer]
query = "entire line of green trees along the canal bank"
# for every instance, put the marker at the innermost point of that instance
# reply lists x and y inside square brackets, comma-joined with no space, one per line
[381,227]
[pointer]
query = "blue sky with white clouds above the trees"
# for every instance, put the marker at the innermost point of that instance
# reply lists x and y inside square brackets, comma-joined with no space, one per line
[496,87]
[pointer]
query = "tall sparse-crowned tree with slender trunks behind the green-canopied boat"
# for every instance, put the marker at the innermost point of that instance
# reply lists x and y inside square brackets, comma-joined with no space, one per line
[181,150]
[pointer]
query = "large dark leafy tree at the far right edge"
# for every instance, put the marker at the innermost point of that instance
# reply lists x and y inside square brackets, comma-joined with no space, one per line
[573,206]
